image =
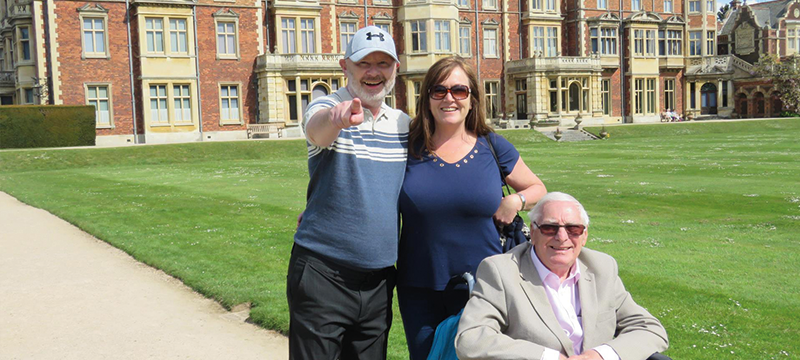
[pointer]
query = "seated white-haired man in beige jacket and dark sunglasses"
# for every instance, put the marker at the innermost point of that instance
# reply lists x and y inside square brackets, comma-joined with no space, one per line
[553,299]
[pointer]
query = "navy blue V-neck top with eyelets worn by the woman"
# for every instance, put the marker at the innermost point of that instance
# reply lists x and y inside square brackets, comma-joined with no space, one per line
[447,213]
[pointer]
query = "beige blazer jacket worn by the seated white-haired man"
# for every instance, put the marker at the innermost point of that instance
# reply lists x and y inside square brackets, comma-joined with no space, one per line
[509,315]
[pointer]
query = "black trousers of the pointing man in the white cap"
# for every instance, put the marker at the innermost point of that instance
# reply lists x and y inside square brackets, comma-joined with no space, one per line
[337,312]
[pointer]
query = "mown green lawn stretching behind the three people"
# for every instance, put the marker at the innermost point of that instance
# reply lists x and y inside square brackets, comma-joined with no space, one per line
[702,217]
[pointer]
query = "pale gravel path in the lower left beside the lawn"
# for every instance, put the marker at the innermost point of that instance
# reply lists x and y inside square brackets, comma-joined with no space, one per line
[66,295]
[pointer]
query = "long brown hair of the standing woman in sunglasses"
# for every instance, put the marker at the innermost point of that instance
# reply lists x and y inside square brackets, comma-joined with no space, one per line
[423,125]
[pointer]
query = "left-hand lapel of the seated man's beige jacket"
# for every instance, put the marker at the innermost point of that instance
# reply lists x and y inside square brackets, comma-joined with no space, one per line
[534,290]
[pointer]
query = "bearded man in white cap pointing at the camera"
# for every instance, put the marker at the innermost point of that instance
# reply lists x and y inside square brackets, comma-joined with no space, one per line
[341,272]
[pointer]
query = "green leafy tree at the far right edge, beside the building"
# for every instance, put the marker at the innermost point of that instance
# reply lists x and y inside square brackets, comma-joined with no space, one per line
[785,77]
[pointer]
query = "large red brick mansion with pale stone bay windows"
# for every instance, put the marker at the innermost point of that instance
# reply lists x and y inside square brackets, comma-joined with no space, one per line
[180,70]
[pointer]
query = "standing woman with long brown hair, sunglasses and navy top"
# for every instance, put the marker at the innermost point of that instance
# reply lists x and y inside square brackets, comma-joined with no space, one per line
[451,199]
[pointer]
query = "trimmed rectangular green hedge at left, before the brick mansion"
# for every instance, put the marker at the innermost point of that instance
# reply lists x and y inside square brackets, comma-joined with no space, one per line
[33,126]
